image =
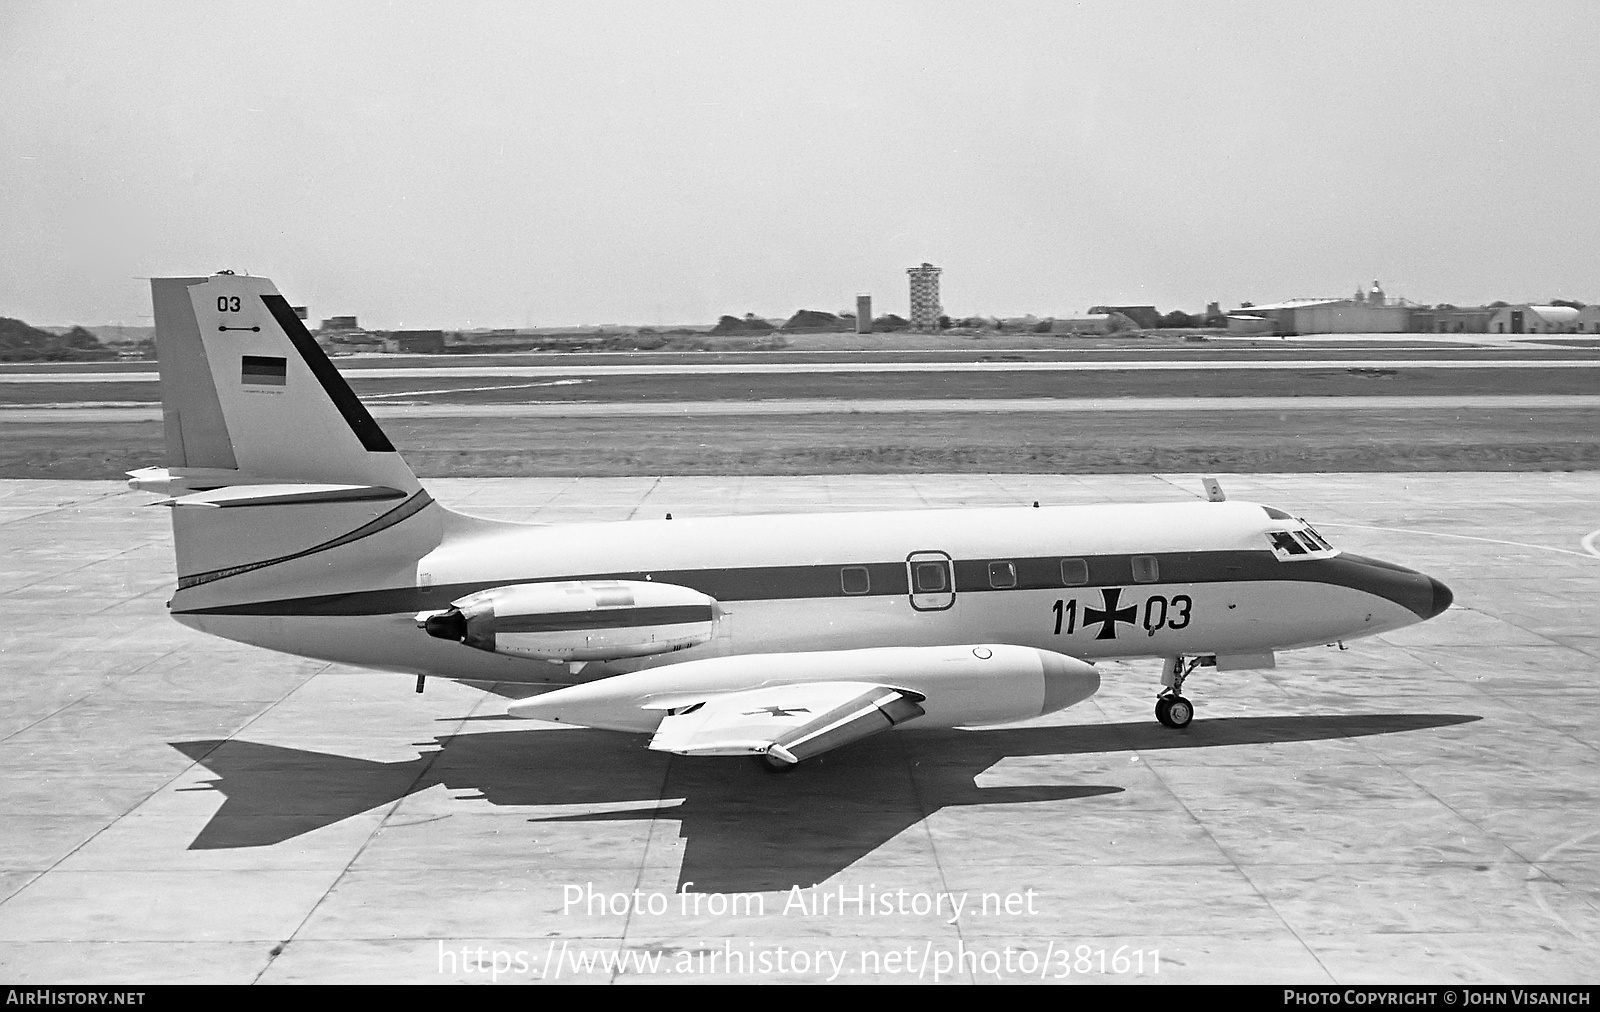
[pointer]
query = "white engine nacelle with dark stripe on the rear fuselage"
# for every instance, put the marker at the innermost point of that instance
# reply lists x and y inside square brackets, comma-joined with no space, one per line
[594,620]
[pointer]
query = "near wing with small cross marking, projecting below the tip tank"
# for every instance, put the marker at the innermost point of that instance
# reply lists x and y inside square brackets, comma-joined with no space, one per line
[786,723]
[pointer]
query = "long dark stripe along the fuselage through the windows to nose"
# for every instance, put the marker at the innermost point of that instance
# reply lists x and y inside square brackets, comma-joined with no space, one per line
[889,579]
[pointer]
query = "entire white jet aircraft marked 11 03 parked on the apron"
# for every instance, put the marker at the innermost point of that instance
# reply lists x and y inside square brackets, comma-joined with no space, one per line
[300,529]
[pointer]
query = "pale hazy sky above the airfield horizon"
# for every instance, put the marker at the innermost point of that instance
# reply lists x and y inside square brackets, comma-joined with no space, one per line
[433,164]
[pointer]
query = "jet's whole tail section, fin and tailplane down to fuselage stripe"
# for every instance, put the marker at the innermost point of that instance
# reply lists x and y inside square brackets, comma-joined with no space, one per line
[284,483]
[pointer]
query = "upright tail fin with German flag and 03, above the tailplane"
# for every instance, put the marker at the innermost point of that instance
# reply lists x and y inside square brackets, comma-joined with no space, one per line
[246,390]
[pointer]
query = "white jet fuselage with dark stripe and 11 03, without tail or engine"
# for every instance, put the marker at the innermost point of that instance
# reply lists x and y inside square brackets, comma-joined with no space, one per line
[1090,582]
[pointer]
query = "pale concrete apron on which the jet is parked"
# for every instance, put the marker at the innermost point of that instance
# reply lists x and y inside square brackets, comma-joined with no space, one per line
[1423,806]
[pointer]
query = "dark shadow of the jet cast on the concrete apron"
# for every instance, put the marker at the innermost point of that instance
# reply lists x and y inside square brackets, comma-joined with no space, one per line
[745,830]
